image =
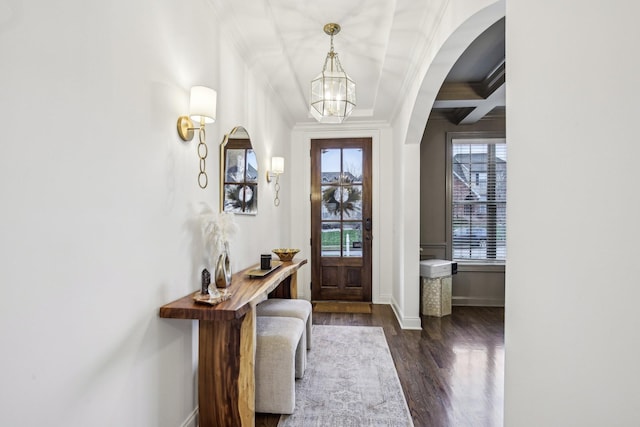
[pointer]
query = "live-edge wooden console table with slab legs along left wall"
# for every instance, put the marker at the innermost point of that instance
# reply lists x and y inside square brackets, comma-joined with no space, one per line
[227,336]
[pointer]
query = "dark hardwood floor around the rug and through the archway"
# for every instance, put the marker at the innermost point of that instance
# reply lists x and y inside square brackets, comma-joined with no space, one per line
[451,372]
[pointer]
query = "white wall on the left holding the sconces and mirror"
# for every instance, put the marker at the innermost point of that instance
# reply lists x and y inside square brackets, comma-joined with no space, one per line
[98,194]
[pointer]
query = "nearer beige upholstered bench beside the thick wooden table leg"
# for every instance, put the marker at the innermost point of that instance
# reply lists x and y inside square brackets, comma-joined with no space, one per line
[278,339]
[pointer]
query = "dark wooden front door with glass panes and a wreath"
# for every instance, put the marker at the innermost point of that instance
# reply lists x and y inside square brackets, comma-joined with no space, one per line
[341,220]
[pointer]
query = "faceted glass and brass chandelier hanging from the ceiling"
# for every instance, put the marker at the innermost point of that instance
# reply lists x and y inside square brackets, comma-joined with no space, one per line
[333,93]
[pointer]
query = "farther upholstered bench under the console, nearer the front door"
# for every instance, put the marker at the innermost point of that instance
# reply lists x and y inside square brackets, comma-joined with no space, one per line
[296,308]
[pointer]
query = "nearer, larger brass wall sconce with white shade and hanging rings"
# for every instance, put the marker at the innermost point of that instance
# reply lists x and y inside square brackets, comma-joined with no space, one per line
[202,109]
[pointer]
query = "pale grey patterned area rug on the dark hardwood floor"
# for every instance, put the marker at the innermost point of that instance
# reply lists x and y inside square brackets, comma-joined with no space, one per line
[350,381]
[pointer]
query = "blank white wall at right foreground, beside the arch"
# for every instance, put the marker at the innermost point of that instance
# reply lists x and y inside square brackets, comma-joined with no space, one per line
[571,337]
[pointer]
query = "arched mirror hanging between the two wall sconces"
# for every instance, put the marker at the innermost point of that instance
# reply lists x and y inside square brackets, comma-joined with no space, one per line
[238,173]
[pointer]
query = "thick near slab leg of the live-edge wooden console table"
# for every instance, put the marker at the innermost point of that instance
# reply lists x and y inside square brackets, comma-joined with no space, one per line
[226,377]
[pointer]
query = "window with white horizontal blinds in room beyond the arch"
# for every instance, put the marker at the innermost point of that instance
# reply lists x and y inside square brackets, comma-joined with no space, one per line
[478,199]
